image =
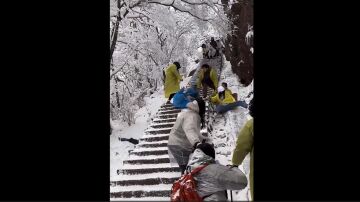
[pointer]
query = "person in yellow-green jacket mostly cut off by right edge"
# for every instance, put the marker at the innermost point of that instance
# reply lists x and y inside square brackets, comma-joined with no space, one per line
[245,145]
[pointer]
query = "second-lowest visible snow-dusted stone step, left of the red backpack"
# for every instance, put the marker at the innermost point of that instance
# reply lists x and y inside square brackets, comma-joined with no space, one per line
[149,181]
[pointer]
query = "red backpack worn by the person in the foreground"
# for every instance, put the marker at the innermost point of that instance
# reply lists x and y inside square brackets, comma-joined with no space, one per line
[184,189]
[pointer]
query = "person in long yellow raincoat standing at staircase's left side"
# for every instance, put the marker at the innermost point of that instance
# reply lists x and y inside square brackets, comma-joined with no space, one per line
[172,80]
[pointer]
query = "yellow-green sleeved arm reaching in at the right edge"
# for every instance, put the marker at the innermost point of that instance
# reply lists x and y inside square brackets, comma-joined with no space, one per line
[244,143]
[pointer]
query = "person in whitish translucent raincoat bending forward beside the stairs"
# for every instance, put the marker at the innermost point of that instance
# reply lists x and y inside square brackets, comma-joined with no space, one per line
[185,134]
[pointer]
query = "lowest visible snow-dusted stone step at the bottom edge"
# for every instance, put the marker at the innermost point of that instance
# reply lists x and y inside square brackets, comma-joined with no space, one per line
[141,194]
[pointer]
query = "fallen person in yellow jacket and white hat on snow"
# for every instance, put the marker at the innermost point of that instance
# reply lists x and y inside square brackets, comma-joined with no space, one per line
[224,101]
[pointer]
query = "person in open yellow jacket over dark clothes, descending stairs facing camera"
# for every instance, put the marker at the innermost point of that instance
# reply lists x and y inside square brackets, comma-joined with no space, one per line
[207,78]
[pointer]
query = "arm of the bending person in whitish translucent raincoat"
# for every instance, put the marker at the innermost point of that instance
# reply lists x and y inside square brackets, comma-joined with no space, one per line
[191,129]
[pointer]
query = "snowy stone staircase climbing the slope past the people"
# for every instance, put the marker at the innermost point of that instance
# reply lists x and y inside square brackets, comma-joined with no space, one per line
[147,174]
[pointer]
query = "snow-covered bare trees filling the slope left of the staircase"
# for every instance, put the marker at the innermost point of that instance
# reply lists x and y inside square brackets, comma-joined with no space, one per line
[147,36]
